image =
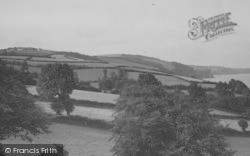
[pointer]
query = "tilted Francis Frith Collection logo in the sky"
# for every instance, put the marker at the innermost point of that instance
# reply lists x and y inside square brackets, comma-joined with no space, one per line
[211,28]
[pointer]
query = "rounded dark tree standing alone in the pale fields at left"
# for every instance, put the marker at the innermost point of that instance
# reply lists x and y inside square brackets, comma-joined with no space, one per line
[56,82]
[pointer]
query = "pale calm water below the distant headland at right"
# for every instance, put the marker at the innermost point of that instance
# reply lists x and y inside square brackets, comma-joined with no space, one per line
[225,78]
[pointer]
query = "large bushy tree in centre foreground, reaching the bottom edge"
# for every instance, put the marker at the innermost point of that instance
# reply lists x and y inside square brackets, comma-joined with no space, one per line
[142,127]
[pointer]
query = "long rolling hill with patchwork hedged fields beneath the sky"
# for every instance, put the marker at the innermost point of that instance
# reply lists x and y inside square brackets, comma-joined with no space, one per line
[91,68]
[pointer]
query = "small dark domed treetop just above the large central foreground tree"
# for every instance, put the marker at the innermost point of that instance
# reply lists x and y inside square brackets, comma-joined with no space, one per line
[148,79]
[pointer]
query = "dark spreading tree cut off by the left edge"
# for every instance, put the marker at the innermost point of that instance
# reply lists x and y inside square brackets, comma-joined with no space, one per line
[19,116]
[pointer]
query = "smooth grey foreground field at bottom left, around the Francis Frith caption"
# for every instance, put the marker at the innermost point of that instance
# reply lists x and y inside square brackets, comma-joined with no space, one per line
[78,141]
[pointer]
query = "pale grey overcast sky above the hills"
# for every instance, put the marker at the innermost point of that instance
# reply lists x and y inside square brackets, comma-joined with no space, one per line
[156,28]
